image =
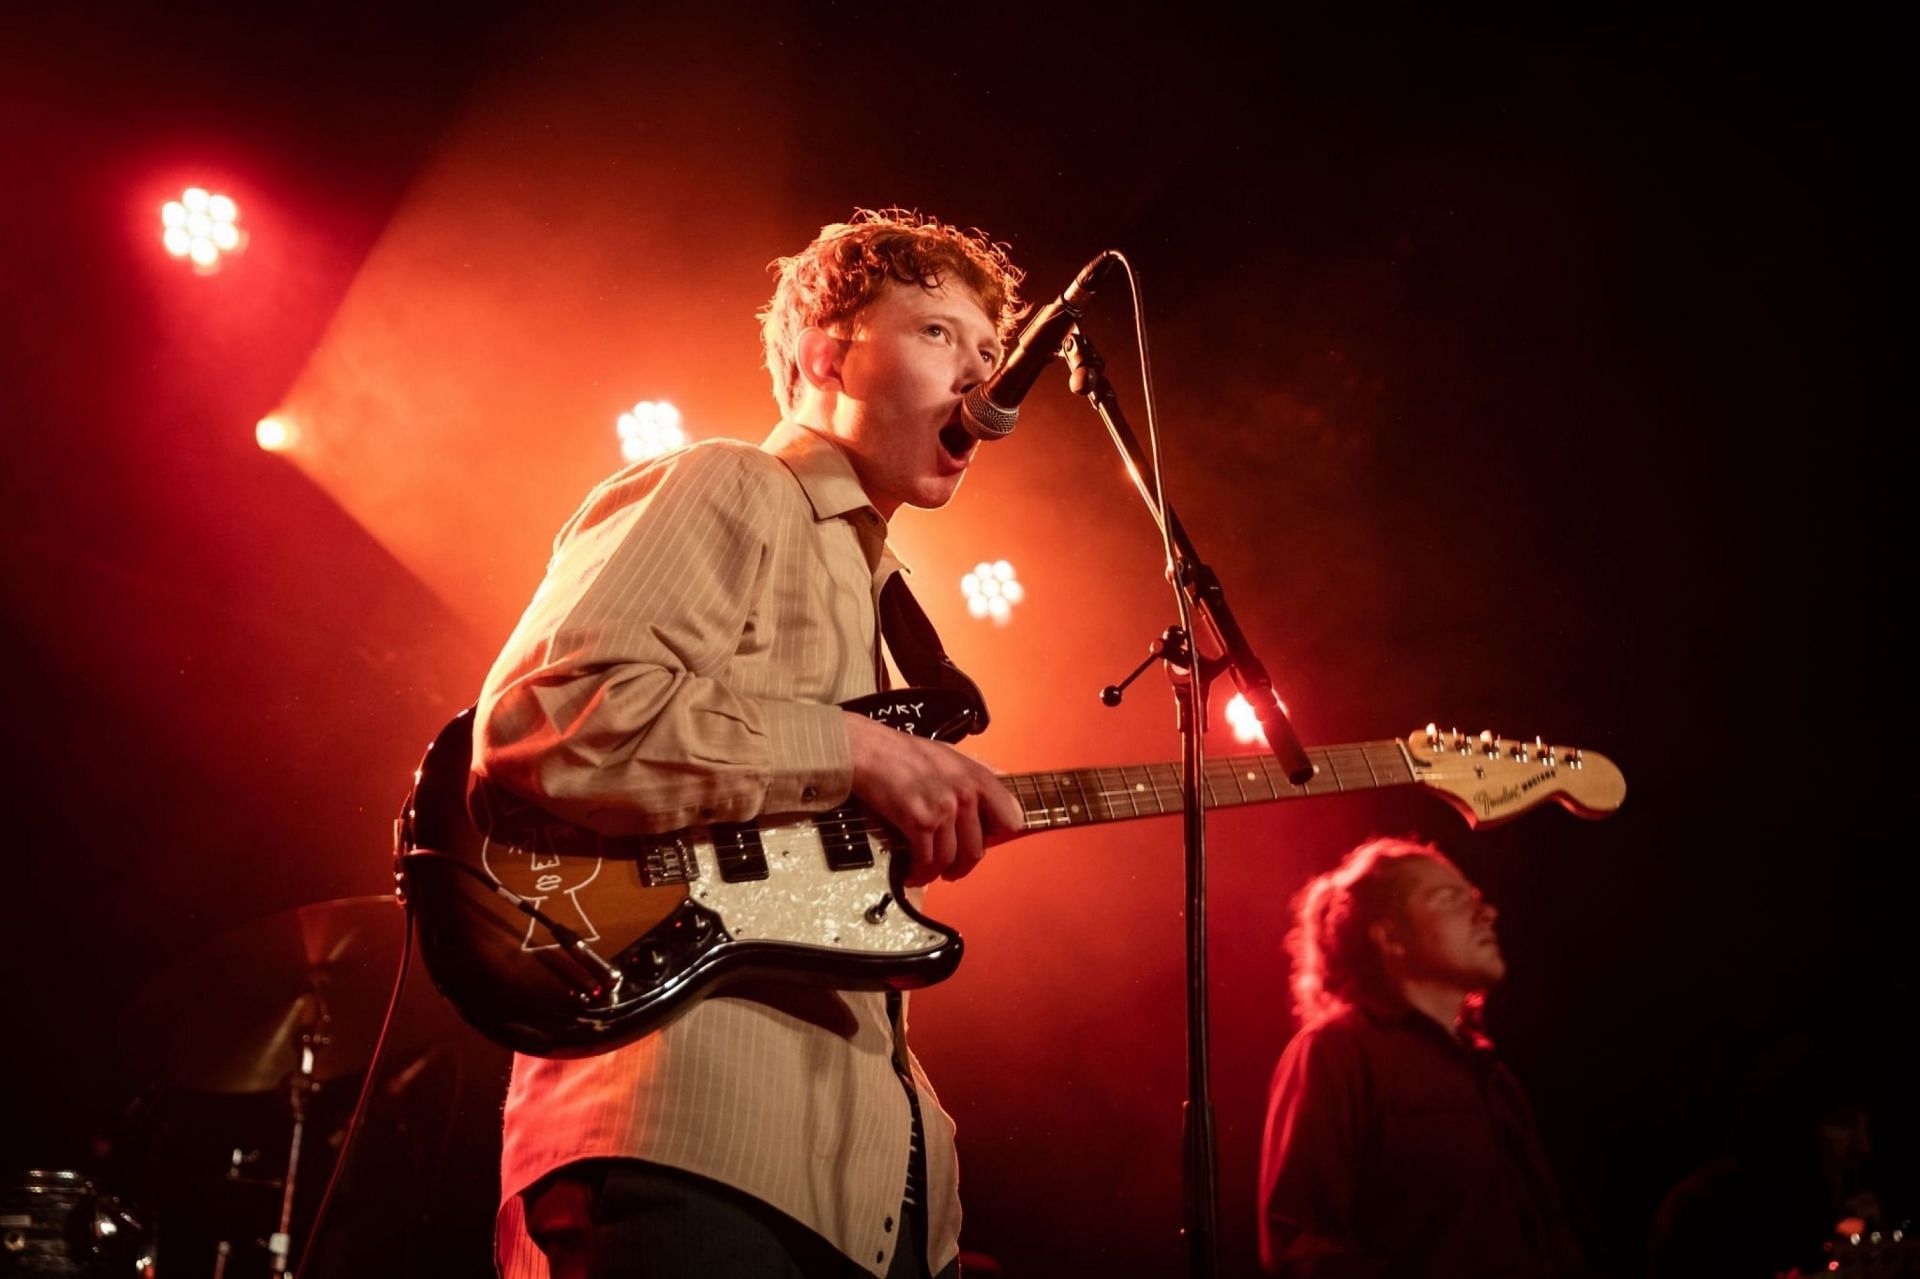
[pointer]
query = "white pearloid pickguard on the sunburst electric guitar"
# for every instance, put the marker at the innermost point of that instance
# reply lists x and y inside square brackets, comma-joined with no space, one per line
[804,902]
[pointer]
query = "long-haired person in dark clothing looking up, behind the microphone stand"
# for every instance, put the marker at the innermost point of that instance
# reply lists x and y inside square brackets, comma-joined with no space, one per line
[1397,1142]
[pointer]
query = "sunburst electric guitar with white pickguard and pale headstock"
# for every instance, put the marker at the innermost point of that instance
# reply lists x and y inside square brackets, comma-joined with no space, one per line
[564,942]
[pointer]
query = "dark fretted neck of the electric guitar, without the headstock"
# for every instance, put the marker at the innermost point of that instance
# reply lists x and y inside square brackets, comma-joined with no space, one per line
[1090,796]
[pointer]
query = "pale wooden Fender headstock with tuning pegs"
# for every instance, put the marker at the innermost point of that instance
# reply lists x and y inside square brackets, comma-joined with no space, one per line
[1495,779]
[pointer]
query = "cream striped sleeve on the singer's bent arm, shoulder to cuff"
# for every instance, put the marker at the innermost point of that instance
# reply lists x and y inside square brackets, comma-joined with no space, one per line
[613,706]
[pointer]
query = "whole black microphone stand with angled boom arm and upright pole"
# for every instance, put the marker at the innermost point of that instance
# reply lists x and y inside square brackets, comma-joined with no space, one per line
[1191,673]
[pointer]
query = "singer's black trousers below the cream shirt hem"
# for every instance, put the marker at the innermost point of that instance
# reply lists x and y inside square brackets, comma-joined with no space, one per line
[636,1220]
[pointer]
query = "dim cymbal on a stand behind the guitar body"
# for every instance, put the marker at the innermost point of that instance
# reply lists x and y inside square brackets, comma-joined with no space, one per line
[231,1015]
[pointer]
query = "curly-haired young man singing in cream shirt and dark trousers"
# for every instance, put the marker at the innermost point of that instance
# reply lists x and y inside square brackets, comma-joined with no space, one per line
[681,665]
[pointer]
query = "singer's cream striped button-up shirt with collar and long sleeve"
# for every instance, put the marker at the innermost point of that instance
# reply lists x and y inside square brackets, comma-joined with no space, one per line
[681,665]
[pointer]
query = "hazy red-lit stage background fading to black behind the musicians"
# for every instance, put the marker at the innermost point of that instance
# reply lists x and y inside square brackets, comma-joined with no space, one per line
[1520,372]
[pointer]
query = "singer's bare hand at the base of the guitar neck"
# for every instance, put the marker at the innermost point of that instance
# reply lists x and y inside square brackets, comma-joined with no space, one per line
[948,806]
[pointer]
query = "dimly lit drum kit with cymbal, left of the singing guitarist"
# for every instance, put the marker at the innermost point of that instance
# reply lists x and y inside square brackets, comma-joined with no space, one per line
[256,1046]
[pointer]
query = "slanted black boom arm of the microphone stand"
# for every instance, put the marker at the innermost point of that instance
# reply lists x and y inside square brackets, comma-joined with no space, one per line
[1191,573]
